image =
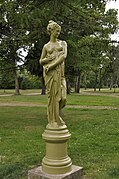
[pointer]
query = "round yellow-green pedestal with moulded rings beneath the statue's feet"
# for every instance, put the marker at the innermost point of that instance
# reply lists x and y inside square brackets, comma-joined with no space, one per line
[56,160]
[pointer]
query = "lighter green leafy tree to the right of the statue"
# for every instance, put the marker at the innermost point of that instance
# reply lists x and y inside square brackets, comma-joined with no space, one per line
[93,39]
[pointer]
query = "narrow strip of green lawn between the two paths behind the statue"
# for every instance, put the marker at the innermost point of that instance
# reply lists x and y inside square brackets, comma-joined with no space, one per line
[73,99]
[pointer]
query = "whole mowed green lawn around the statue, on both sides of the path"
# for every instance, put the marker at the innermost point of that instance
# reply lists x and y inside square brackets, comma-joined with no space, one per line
[94,143]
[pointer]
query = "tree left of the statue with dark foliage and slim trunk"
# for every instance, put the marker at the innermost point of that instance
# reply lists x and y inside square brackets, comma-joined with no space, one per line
[20,24]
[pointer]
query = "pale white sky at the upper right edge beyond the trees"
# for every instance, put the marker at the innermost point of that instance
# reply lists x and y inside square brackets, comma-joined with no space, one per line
[114,5]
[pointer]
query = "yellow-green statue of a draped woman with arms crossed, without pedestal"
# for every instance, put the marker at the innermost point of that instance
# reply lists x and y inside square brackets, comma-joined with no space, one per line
[52,58]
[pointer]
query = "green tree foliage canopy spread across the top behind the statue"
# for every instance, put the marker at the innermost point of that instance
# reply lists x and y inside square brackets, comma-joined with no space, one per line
[85,26]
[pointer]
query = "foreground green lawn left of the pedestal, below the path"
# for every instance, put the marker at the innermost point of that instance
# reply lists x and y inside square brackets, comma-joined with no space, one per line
[20,139]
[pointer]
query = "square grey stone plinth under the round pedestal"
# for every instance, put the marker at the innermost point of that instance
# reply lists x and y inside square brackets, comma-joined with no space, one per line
[37,173]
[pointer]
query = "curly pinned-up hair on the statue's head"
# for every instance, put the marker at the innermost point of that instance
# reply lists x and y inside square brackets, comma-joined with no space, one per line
[52,25]
